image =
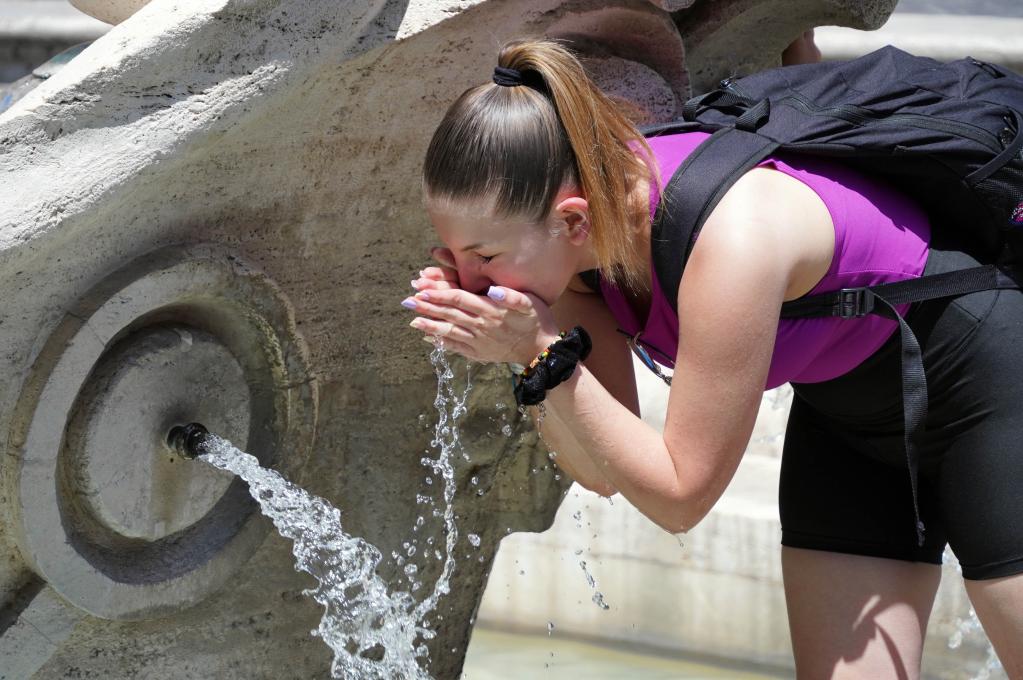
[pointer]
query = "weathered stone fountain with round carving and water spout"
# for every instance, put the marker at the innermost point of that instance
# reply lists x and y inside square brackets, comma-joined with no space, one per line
[211,215]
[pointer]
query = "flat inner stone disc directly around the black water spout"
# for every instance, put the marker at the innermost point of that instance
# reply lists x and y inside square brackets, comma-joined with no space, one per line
[144,490]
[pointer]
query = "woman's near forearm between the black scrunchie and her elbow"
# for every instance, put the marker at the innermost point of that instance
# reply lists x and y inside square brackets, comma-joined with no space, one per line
[629,454]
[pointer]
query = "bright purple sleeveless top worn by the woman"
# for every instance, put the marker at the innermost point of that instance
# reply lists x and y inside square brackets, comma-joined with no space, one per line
[880,237]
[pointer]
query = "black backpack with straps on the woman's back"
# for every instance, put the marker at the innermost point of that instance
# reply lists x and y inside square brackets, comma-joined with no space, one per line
[948,135]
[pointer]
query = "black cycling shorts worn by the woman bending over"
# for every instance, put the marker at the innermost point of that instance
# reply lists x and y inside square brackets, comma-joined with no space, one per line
[846,485]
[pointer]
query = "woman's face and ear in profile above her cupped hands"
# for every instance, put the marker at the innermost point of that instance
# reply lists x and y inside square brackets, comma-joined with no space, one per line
[541,259]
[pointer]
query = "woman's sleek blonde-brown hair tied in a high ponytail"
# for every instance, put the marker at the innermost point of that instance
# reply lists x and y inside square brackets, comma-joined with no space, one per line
[519,146]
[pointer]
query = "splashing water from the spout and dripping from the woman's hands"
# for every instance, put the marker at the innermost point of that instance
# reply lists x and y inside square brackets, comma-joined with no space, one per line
[362,618]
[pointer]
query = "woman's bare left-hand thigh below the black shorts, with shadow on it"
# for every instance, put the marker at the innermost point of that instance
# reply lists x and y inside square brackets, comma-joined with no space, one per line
[855,617]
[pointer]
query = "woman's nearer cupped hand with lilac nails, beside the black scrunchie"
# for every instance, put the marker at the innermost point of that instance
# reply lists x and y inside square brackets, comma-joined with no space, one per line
[505,326]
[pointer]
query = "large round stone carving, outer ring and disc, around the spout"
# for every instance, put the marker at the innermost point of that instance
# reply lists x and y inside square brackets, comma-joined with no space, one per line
[111,517]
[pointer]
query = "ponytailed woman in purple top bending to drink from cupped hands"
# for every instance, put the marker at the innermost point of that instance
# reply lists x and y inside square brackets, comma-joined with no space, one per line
[544,194]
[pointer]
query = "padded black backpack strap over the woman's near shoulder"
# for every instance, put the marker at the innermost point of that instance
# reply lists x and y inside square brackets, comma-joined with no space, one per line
[692,195]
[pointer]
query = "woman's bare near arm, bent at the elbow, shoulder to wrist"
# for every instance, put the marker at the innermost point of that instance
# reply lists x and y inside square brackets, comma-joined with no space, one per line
[729,305]
